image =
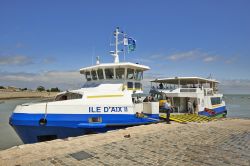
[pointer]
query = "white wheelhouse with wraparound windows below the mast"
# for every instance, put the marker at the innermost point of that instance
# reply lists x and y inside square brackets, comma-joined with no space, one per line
[128,74]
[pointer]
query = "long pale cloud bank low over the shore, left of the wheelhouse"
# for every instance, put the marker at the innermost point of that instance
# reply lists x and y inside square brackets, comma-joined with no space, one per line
[61,79]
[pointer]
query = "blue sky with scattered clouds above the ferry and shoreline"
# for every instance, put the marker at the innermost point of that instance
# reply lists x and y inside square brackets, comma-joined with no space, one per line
[47,42]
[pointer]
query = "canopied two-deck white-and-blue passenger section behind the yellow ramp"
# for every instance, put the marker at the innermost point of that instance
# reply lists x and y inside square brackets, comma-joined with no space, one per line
[201,92]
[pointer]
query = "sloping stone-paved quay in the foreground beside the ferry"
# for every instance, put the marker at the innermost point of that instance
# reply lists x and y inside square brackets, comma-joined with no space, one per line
[222,142]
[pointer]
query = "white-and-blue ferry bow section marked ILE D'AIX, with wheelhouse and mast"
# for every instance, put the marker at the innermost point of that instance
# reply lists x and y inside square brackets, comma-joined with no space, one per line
[110,99]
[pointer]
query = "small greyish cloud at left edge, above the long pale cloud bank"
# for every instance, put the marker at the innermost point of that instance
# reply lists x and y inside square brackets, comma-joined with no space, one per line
[15,60]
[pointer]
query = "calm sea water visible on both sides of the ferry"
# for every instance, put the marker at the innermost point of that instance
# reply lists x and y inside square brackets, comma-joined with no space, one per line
[238,106]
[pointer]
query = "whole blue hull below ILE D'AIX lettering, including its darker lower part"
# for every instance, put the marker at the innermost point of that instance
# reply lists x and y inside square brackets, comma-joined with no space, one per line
[60,126]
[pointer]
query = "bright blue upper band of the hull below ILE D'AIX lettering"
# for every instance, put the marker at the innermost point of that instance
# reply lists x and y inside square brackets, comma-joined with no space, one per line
[74,120]
